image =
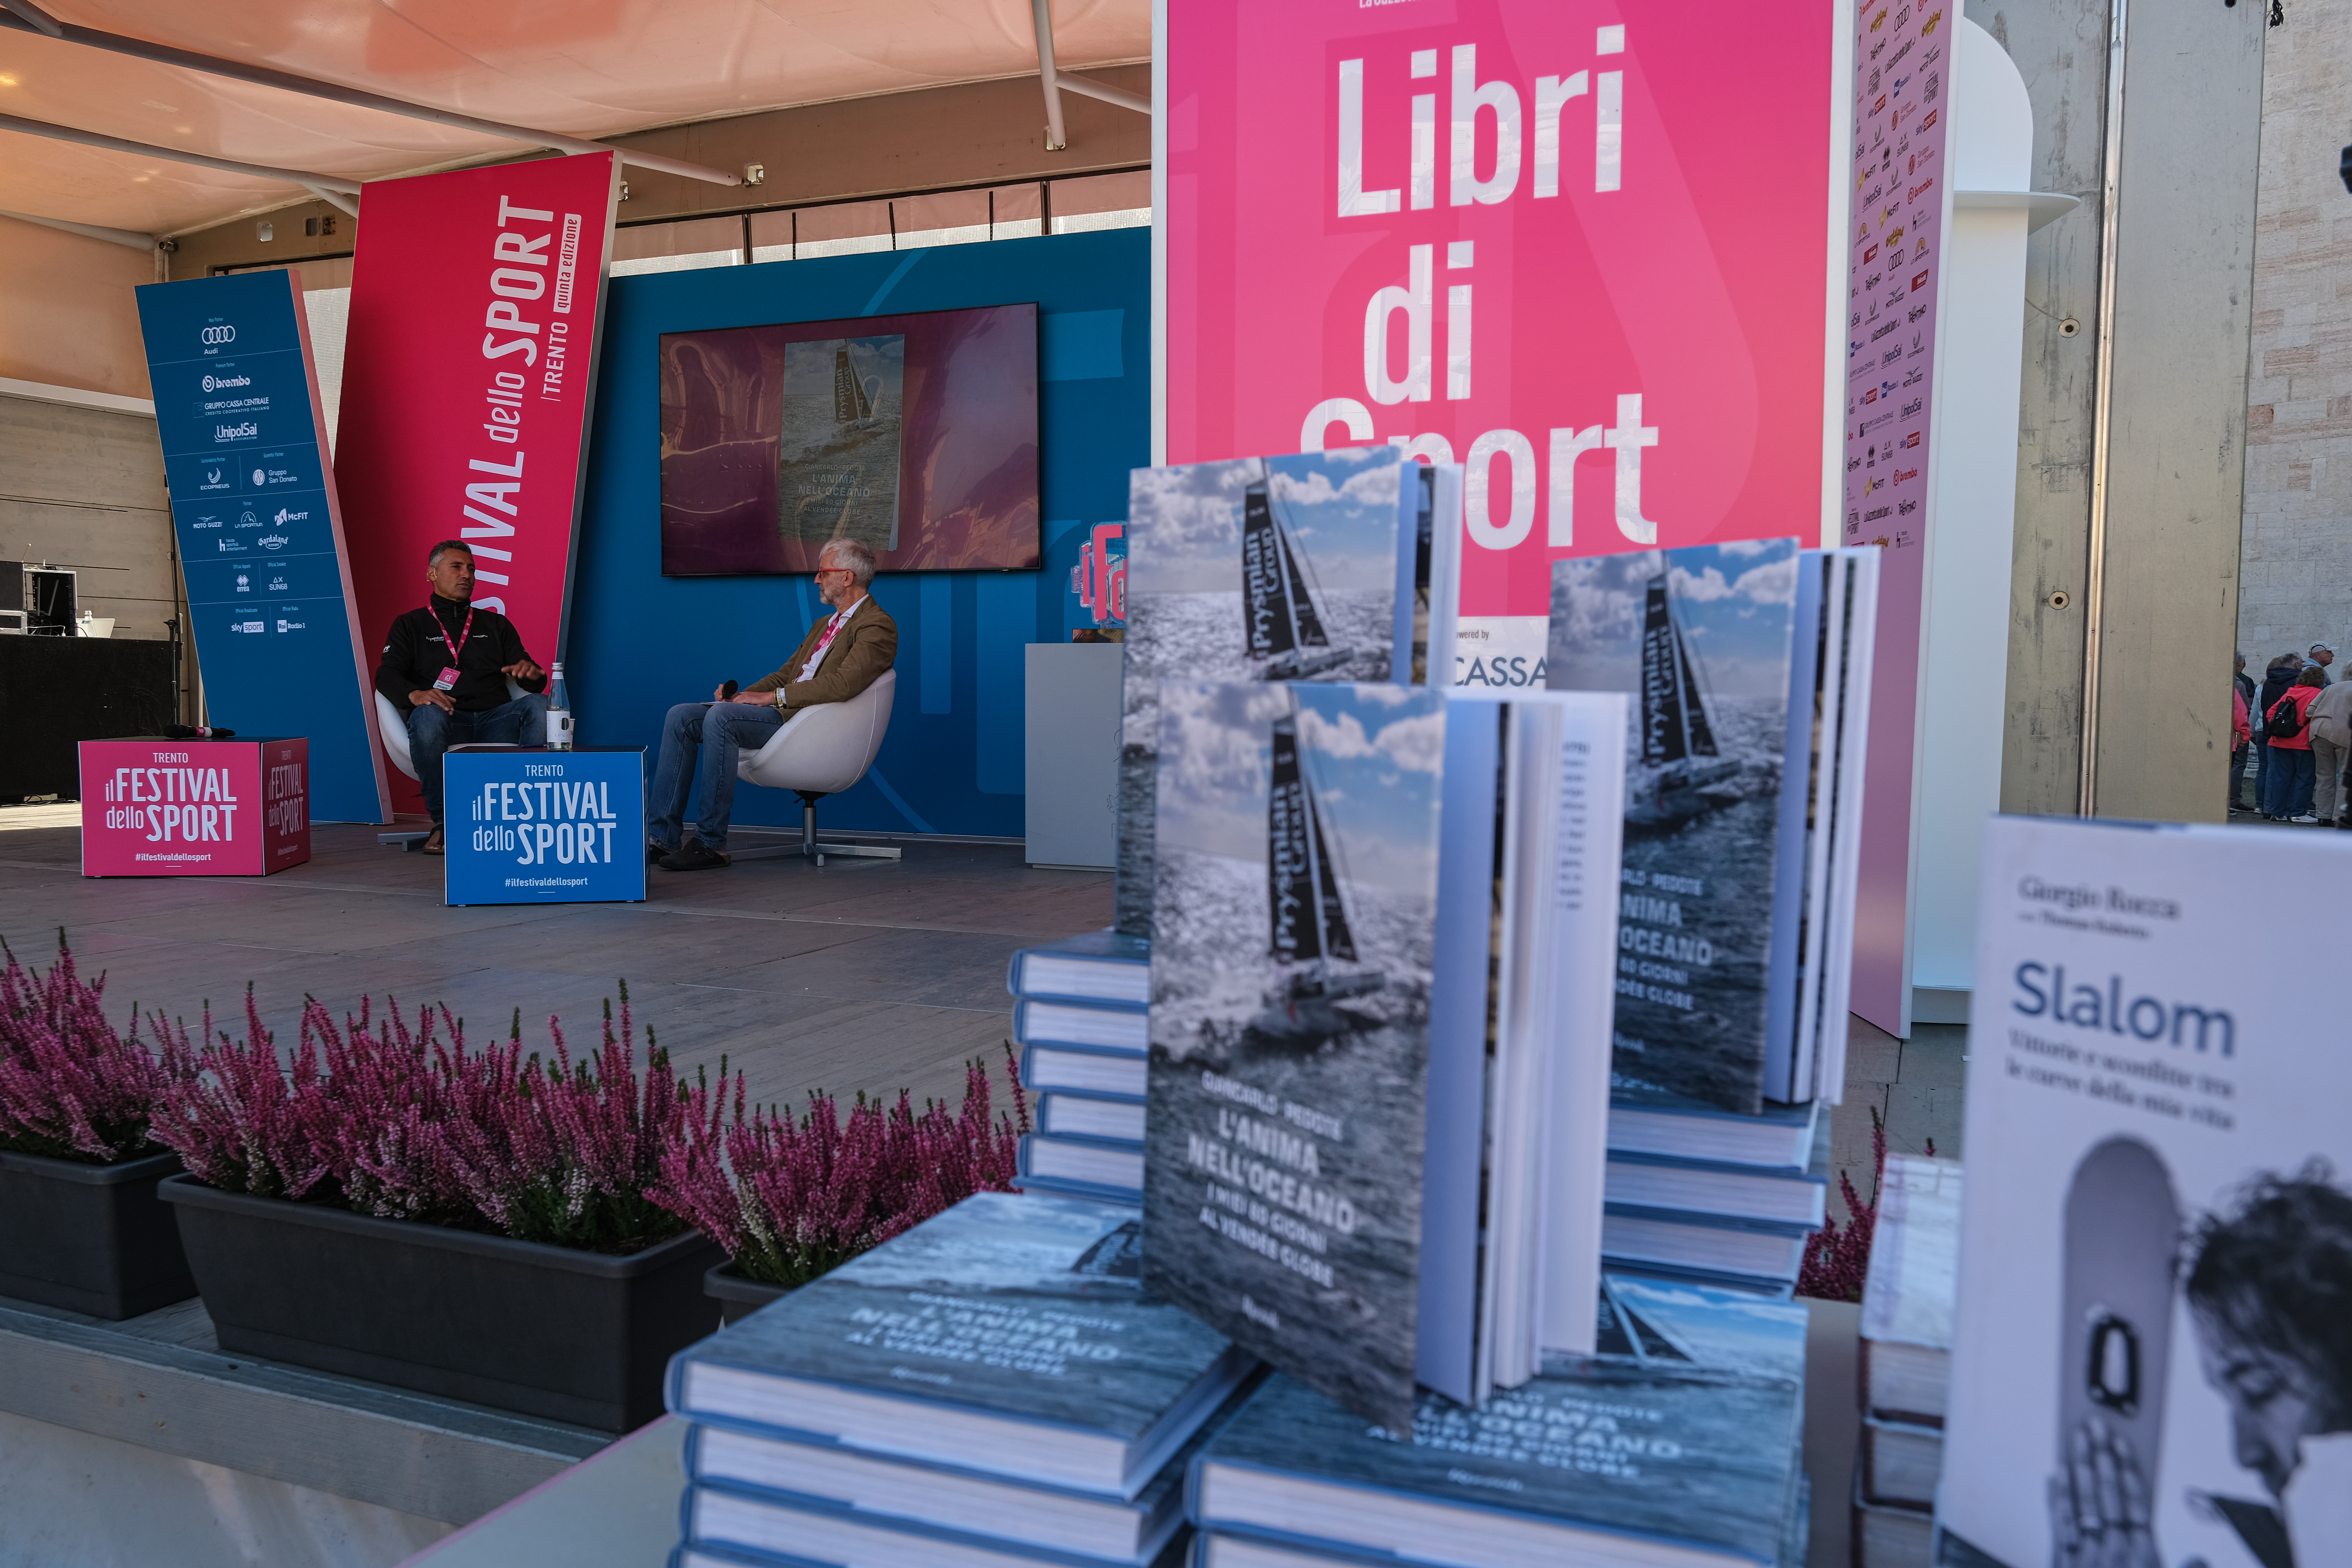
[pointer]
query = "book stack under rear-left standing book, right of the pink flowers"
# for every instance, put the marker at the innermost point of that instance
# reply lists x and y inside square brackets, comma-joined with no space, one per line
[1081,1021]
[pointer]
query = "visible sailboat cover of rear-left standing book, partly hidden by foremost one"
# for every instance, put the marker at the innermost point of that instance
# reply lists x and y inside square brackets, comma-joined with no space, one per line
[1257,570]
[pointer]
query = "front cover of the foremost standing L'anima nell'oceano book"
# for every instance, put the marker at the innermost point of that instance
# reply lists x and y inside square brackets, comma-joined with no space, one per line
[1290,1031]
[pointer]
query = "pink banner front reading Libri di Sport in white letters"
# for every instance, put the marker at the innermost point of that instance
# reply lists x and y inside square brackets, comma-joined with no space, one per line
[1579,246]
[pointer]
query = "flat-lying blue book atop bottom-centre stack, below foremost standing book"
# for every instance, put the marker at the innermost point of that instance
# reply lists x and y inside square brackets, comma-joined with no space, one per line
[1695,1466]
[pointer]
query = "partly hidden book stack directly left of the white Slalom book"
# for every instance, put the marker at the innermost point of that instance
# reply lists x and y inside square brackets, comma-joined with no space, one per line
[1906,1362]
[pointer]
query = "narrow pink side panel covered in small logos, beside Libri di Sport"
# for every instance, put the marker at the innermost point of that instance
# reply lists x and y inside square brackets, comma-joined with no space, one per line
[1902,100]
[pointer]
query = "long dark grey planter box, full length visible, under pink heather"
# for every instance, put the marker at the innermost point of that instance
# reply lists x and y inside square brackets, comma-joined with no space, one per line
[514,1325]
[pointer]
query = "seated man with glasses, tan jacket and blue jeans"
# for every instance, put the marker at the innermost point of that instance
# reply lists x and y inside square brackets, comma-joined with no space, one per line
[838,659]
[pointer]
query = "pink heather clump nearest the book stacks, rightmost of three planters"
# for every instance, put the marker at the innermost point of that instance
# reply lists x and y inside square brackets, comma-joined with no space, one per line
[796,1198]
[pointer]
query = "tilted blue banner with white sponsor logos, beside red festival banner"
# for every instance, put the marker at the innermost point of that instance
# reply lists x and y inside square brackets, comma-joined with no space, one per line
[260,532]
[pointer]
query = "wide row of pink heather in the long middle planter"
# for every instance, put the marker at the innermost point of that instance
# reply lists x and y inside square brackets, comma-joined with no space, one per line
[403,1120]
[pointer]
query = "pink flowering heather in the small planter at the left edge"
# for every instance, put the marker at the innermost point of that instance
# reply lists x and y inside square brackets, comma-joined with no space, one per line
[72,1085]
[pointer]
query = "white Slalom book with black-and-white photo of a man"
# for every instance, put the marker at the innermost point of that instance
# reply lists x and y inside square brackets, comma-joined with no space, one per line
[2153,1348]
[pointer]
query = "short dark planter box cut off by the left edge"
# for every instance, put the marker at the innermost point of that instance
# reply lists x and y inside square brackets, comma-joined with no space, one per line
[91,1238]
